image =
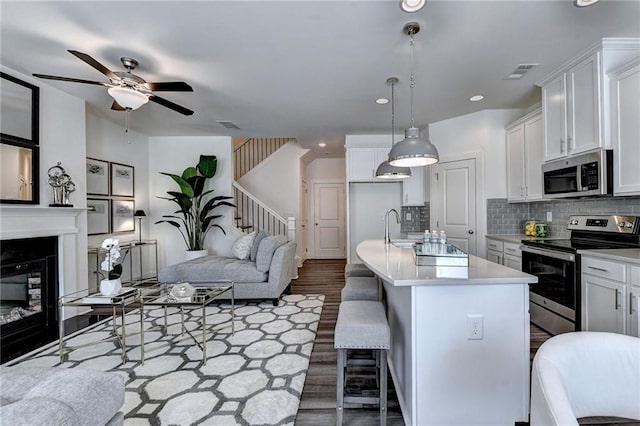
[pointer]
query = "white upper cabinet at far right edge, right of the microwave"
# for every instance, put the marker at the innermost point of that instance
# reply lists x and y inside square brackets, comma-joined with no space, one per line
[625,128]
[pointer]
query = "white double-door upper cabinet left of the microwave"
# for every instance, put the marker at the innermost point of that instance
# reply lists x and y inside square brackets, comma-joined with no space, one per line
[524,158]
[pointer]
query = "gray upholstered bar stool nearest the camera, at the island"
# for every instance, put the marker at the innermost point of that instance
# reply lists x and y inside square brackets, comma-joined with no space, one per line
[362,324]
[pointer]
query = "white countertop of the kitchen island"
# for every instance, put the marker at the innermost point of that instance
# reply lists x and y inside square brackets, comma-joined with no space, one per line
[397,266]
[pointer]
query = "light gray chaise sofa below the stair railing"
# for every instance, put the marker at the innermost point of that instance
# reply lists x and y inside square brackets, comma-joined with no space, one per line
[265,278]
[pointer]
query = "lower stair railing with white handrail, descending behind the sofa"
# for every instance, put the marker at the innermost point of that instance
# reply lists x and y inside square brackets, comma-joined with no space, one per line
[253,214]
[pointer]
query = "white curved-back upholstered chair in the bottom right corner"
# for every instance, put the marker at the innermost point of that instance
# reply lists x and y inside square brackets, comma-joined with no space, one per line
[585,374]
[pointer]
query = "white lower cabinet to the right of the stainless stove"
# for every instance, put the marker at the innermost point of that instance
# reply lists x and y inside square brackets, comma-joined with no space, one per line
[610,296]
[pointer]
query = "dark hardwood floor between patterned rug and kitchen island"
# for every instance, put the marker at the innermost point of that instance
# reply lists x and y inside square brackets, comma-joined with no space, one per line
[318,403]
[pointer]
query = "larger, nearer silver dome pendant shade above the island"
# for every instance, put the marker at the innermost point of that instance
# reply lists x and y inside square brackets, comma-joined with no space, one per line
[413,150]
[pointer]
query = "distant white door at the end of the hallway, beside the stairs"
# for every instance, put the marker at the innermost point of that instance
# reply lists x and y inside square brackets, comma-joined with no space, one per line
[329,224]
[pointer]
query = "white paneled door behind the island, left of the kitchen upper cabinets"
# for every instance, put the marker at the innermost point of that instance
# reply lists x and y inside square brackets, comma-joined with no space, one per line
[454,202]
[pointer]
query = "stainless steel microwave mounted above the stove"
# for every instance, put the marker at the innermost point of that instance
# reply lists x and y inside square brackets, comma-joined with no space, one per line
[583,175]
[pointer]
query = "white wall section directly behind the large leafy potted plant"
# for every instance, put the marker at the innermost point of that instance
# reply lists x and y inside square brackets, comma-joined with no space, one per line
[173,155]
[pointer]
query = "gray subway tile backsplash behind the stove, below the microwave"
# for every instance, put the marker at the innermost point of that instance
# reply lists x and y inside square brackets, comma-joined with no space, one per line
[509,218]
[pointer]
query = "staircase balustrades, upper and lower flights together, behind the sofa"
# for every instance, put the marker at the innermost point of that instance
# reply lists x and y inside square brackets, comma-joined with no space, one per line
[251,213]
